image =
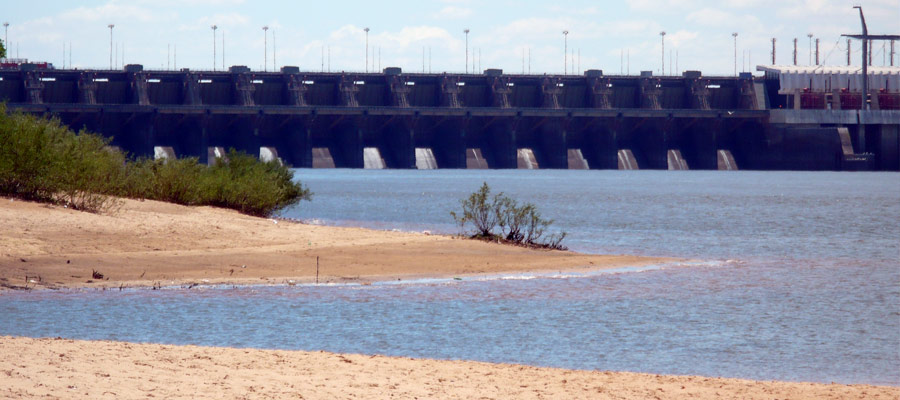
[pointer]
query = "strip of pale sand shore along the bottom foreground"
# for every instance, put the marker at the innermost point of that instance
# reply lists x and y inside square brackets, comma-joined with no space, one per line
[59,368]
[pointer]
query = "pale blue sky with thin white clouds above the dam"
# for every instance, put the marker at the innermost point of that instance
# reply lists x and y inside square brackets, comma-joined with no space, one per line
[616,37]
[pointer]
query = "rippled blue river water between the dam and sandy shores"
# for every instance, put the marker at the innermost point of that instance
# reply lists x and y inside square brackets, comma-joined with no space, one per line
[797,278]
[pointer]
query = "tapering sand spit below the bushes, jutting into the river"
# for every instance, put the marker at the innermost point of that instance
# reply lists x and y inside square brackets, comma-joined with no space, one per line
[145,243]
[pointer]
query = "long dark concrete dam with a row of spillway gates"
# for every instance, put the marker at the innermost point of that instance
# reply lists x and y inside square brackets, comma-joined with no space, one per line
[788,119]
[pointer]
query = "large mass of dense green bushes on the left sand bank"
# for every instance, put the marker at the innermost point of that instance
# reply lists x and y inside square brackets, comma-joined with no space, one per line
[42,160]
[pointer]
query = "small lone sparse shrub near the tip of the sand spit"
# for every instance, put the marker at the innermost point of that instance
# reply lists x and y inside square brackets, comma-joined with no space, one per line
[517,224]
